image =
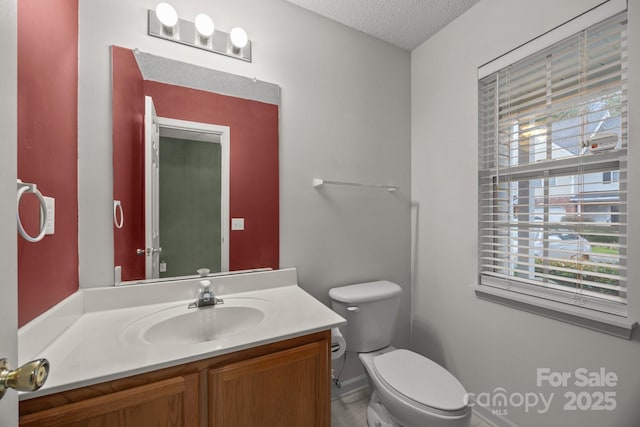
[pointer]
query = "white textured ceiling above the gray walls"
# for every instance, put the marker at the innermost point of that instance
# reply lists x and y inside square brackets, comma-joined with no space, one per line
[403,23]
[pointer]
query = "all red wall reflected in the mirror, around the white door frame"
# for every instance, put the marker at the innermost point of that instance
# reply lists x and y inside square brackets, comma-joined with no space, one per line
[254,176]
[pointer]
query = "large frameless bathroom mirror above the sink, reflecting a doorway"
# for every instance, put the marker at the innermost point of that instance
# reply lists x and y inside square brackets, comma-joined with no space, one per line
[195,183]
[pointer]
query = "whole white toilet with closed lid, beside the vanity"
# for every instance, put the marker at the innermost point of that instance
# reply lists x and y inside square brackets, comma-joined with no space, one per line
[407,389]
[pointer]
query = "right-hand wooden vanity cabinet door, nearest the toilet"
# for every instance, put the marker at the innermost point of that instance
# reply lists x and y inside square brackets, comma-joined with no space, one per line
[287,388]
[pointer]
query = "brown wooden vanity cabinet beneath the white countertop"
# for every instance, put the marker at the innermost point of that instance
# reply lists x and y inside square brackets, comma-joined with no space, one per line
[286,383]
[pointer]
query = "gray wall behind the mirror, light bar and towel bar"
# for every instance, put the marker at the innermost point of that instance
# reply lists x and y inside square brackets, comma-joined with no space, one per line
[345,114]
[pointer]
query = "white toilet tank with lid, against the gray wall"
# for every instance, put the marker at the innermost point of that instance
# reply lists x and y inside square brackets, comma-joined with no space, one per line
[370,310]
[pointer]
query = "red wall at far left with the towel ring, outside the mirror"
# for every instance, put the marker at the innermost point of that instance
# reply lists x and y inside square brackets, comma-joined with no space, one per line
[48,149]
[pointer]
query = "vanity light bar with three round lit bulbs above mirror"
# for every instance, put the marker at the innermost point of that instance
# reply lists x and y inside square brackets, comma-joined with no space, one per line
[164,23]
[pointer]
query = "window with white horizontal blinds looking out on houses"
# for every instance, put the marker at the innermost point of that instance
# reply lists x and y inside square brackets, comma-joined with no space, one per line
[552,174]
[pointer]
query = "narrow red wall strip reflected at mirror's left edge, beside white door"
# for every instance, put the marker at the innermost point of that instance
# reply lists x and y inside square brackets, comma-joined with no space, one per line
[128,161]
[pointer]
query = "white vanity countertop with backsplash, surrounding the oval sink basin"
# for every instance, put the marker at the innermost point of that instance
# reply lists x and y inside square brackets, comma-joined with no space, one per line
[82,336]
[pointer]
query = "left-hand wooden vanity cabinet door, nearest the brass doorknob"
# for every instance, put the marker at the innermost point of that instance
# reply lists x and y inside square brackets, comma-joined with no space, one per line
[172,402]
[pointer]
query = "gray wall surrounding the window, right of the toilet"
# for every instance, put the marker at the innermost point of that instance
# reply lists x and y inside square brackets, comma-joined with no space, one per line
[488,345]
